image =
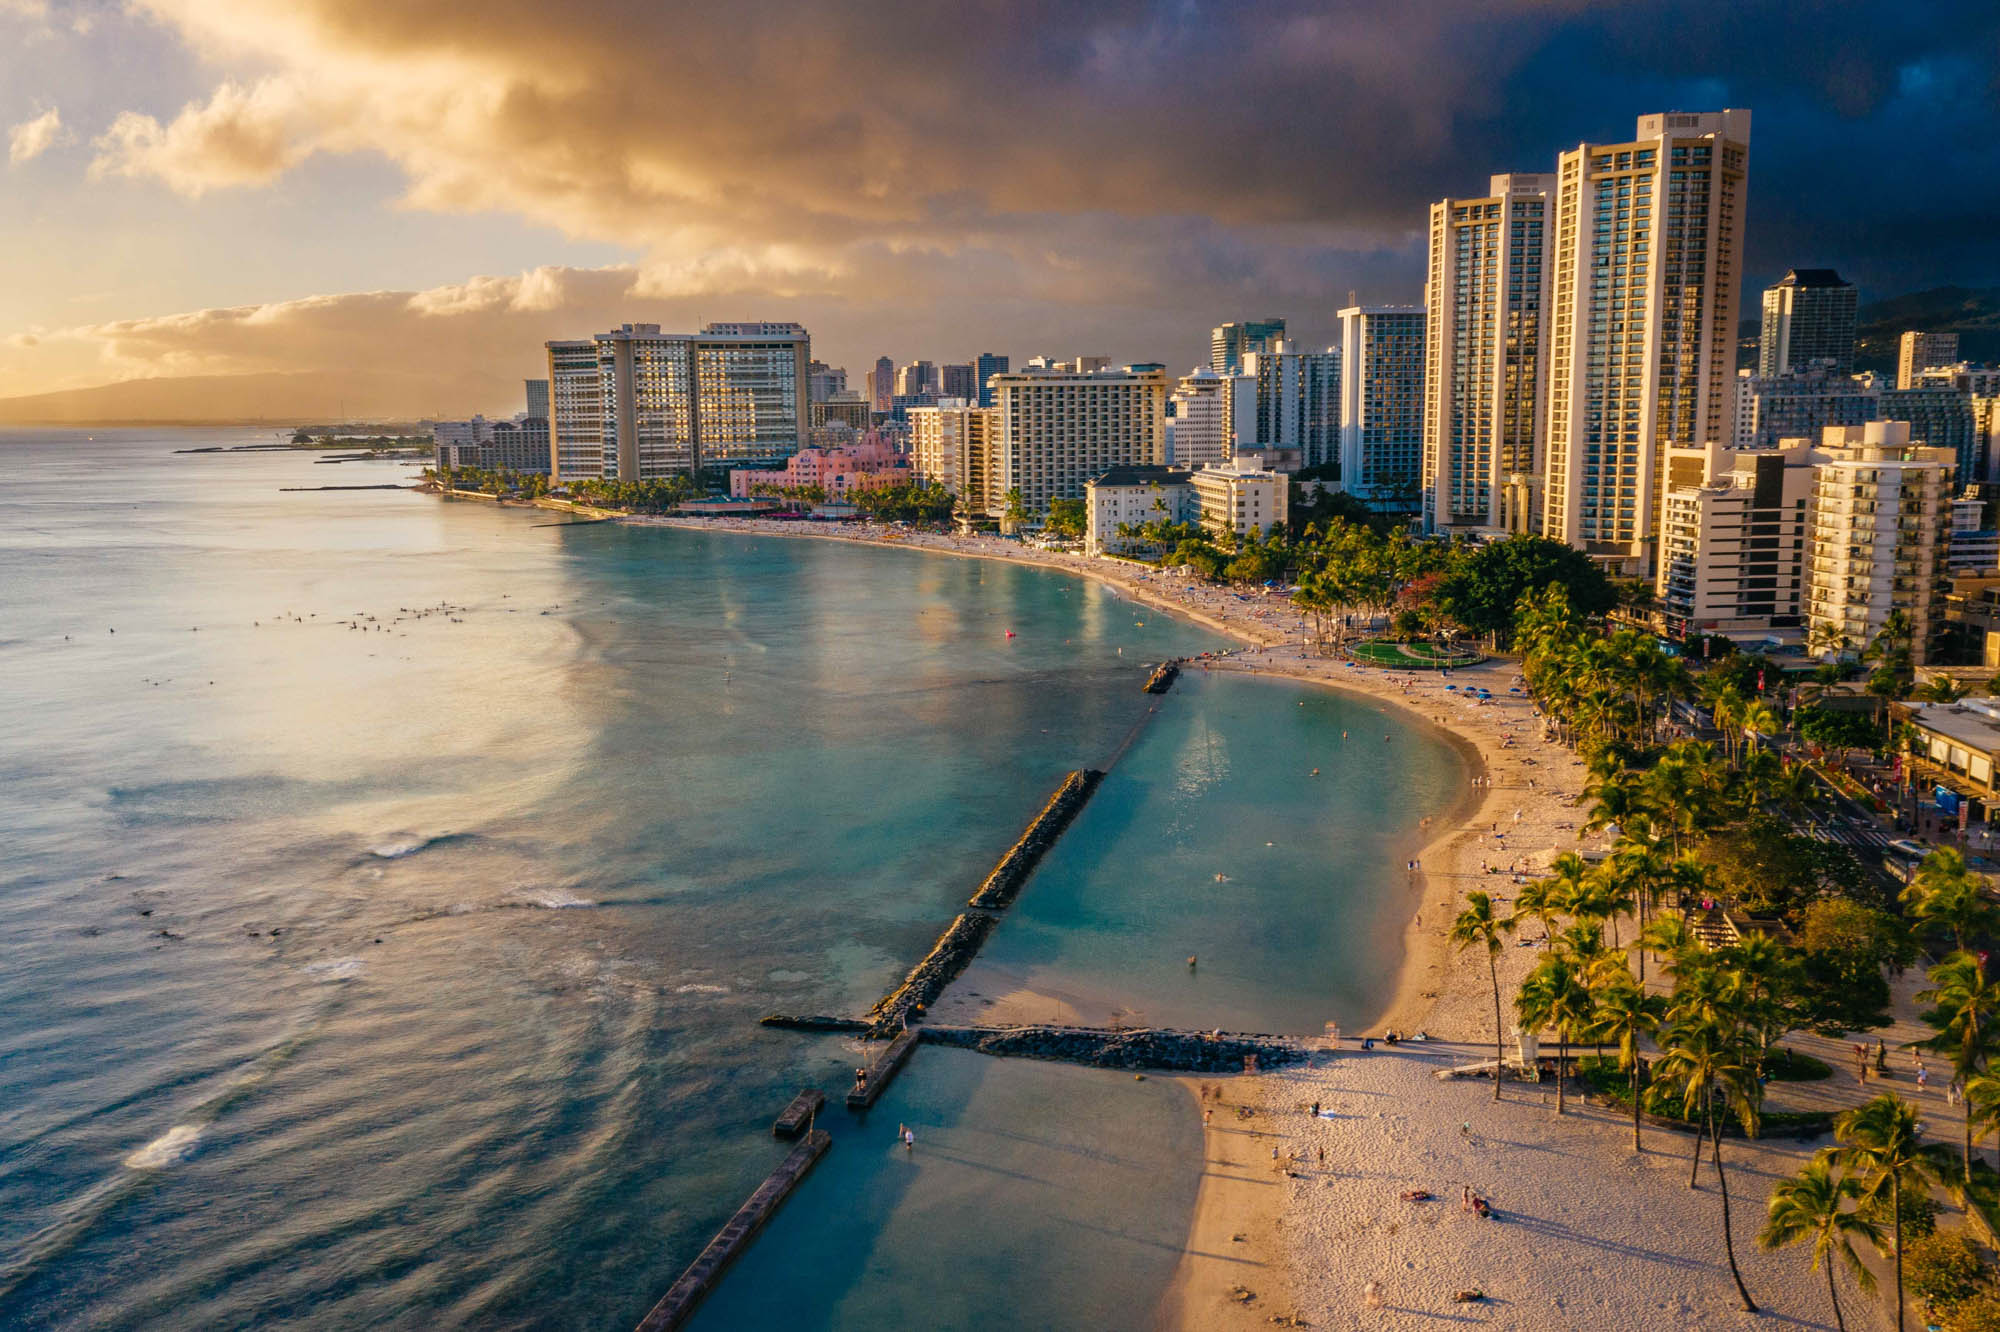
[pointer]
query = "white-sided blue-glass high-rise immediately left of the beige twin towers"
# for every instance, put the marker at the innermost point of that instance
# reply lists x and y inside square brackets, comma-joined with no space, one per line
[1381,401]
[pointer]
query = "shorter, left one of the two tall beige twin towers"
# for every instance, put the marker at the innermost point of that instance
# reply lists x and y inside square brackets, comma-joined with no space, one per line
[1485,345]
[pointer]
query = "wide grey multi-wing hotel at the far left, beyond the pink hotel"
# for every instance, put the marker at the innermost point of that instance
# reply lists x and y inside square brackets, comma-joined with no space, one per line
[641,405]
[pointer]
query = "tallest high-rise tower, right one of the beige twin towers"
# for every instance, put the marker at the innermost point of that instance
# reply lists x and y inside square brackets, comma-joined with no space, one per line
[1647,259]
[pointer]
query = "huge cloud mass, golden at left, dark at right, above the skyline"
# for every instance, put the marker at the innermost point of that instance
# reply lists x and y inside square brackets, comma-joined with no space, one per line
[1027,175]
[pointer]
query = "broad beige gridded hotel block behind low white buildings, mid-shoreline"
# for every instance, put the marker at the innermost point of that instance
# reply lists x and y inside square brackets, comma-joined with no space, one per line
[1061,427]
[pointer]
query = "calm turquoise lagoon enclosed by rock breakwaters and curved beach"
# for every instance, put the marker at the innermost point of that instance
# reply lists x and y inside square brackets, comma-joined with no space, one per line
[1305,923]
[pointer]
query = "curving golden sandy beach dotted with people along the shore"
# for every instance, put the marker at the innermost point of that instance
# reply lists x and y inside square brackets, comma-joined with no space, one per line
[1589,1233]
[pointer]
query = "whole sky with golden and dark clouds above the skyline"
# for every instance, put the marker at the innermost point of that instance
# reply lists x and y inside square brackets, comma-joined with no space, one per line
[385,207]
